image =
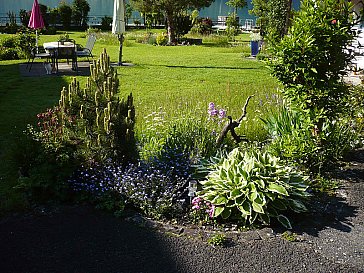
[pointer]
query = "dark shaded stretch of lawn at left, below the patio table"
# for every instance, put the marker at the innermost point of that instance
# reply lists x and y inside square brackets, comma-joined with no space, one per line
[21,99]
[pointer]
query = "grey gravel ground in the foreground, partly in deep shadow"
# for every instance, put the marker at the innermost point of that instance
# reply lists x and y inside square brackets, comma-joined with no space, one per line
[79,239]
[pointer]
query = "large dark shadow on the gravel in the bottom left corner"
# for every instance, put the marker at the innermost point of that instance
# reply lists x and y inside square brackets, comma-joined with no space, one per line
[80,240]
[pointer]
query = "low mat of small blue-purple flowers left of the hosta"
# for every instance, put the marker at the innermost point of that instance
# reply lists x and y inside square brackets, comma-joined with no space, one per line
[145,186]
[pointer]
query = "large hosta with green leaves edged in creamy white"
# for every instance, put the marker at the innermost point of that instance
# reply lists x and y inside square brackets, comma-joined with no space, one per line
[253,187]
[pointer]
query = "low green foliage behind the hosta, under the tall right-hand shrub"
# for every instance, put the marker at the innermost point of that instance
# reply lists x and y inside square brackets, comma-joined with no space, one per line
[295,139]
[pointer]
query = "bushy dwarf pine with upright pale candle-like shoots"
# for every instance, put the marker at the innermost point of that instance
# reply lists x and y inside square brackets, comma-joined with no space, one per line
[104,124]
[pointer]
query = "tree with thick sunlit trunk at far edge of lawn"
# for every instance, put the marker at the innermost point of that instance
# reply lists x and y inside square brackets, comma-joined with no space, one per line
[171,9]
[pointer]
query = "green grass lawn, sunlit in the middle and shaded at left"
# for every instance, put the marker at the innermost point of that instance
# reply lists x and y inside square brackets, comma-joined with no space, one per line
[180,79]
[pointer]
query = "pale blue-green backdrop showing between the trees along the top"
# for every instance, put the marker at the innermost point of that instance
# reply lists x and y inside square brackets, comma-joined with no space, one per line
[105,7]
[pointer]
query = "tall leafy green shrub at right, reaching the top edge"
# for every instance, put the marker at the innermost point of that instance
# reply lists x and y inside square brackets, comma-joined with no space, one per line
[312,59]
